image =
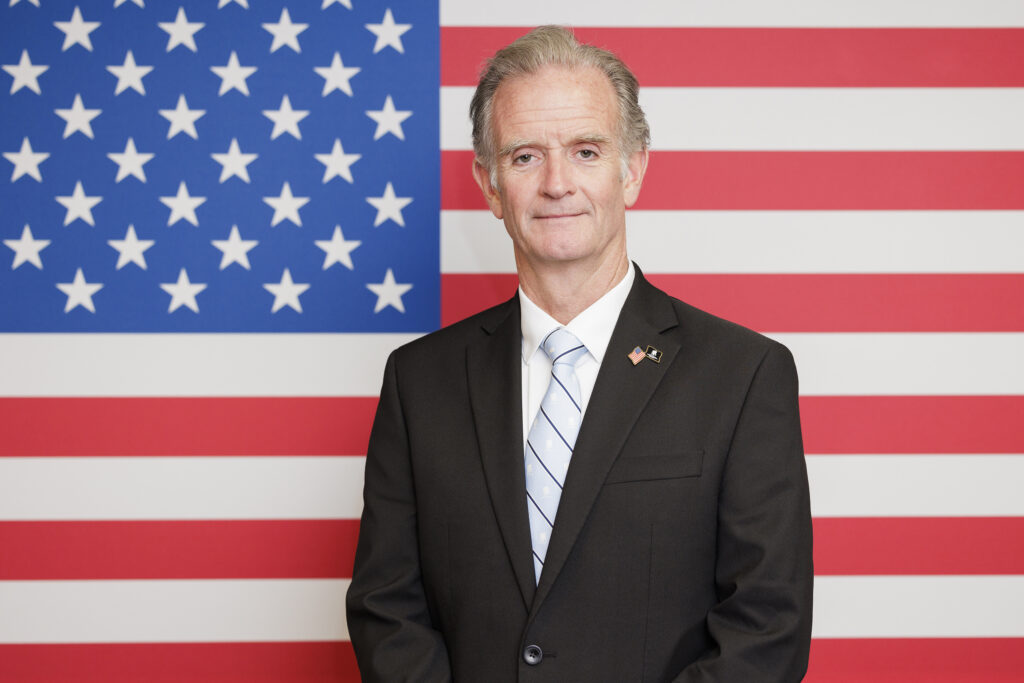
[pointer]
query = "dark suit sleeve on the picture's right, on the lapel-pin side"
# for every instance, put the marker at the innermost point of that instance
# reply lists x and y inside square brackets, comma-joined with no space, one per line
[764,573]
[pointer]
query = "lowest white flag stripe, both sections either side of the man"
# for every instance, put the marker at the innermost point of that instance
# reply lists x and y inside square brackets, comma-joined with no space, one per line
[267,611]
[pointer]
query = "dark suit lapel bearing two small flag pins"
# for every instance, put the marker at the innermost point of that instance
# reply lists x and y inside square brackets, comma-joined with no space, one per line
[620,396]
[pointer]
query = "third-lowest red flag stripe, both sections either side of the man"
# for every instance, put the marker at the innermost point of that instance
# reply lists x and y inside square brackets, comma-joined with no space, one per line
[832,424]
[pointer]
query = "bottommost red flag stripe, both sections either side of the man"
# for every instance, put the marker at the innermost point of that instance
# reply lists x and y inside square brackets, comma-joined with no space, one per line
[833,661]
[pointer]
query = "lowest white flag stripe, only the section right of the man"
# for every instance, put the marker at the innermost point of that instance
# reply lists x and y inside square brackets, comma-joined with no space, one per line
[919,608]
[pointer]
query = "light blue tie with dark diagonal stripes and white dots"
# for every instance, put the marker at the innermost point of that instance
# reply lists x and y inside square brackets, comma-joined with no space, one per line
[551,440]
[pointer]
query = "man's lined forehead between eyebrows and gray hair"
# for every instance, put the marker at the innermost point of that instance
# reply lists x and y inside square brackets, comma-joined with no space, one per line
[556,101]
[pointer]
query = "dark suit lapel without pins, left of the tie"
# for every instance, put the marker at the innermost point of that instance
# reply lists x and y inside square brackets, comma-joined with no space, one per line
[494,370]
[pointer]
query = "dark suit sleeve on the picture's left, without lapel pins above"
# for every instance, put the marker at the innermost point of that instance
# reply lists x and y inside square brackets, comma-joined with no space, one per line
[390,622]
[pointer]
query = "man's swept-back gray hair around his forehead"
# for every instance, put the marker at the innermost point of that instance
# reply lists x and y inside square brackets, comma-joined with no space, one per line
[548,47]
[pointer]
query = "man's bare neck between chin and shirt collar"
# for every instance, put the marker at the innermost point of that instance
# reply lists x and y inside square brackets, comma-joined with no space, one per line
[564,291]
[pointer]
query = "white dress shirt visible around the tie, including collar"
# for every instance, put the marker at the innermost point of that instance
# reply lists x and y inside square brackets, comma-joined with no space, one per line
[593,327]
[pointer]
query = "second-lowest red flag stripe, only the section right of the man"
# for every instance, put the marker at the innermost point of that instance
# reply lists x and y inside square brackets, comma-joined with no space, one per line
[919,546]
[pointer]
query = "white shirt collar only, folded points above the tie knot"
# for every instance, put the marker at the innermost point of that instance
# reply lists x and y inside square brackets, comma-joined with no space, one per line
[593,326]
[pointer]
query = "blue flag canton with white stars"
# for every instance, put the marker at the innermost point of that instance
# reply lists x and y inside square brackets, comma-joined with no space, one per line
[220,167]
